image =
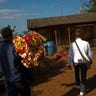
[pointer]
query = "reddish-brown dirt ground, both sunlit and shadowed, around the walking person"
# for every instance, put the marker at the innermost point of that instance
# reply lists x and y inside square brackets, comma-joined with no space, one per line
[52,79]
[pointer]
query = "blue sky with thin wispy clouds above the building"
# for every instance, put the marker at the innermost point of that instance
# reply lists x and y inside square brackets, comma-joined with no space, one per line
[16,12]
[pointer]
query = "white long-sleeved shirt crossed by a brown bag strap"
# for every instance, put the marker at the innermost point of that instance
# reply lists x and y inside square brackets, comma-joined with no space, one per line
[74,53]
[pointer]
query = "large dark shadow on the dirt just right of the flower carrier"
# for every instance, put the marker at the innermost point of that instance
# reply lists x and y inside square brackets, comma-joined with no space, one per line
[46,69]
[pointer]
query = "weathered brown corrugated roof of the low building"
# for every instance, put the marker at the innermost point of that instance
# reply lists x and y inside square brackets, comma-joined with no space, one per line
[59,20]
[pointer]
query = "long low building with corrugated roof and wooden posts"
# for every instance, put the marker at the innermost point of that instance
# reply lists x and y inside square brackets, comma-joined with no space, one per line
[60,29]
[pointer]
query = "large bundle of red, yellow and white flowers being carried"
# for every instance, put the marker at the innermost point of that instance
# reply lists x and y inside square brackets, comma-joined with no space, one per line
[29,48]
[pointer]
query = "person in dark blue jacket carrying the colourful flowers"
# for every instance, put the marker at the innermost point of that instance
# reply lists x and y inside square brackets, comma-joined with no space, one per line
[10,62]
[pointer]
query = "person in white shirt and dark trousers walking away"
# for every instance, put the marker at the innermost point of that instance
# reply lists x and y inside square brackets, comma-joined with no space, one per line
[79,65]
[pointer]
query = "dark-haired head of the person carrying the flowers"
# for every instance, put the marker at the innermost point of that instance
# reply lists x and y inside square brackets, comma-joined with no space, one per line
[6,33]
